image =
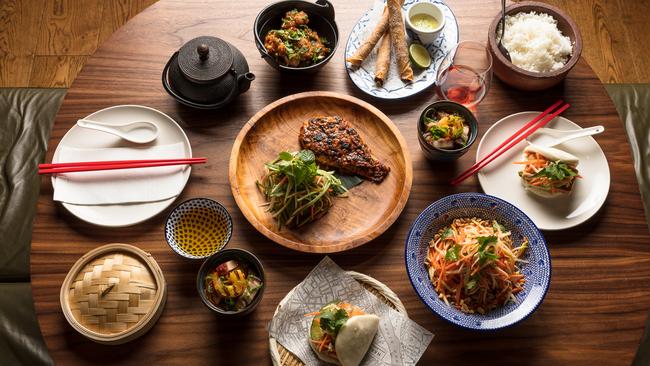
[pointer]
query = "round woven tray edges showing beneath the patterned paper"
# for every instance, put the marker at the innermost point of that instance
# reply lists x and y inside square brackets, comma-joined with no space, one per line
[280,356]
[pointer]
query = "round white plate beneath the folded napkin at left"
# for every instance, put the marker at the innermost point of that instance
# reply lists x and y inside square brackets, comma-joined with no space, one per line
[124,214]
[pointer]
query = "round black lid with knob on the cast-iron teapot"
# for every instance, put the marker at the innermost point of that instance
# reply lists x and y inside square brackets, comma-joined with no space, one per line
[205,59]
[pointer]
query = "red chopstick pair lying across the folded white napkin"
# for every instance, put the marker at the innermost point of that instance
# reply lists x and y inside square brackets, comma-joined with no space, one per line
[87,166]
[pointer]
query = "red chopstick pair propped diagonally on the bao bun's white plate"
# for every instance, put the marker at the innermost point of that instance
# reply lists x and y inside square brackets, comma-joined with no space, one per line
[517,137]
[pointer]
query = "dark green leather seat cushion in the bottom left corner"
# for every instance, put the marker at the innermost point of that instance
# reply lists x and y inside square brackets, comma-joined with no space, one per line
[20,337]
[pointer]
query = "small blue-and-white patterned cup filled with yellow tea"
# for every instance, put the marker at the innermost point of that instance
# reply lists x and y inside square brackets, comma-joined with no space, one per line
[198,228]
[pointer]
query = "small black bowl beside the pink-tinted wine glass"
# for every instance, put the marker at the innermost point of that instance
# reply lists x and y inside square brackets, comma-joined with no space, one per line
[436,154]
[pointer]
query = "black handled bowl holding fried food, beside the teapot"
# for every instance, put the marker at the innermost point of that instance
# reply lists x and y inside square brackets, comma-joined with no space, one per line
[321,19]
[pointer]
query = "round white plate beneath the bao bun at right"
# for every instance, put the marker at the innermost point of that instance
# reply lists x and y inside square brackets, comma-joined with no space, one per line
[500,177]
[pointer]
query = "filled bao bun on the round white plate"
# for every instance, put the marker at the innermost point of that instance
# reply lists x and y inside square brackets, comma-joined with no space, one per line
[548,172]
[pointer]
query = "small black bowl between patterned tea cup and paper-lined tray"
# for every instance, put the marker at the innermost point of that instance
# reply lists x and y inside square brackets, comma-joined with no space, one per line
[220,257]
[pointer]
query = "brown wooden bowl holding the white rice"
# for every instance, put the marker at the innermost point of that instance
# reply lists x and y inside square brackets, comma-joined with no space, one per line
[528,80]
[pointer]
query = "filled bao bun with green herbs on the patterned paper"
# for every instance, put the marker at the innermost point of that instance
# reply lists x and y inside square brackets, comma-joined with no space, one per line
[341,333]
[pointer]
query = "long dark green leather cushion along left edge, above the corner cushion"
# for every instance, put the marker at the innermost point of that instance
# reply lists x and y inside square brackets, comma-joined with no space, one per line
[28,115]
